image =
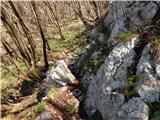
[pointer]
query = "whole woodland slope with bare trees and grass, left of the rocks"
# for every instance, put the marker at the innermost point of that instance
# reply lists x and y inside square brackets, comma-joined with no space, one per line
[34,36]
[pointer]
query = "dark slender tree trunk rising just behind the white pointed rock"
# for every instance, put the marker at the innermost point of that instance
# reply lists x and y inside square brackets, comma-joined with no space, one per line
[39,23]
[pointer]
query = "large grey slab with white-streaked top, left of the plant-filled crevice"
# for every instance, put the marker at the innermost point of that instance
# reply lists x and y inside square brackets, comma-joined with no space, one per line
[111,75]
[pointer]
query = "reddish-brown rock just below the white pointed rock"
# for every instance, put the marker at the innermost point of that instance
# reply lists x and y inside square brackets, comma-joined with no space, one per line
[62,105]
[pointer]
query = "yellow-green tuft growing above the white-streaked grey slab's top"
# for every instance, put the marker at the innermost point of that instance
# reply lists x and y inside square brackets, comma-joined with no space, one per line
[126,35]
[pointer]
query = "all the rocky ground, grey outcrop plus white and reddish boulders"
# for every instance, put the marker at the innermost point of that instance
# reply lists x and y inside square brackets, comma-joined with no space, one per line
[117,77]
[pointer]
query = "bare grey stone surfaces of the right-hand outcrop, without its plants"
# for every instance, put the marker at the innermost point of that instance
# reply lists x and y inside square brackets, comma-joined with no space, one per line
[107,90]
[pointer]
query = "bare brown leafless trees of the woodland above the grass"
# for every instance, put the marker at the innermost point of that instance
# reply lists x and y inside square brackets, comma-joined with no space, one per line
[25,24]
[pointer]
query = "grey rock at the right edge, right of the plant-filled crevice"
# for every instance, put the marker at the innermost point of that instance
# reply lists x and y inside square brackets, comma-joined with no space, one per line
[148,86]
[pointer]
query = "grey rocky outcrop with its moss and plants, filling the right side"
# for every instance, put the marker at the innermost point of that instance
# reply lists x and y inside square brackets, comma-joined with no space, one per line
[127,84]
